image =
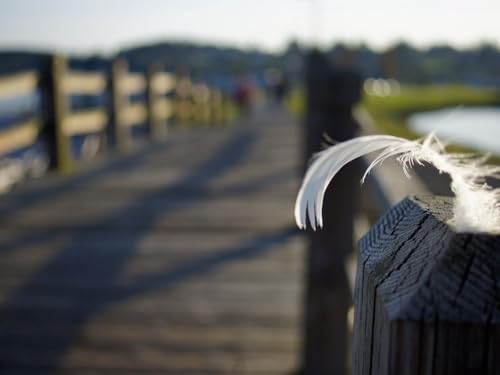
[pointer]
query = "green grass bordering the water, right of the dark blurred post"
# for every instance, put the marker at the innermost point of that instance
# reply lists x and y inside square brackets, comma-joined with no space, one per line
[391,112]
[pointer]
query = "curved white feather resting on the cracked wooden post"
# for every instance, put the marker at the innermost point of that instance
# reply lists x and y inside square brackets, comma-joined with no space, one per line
[477,207]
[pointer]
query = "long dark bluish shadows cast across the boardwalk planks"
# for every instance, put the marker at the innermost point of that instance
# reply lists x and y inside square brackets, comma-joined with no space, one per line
[76,283]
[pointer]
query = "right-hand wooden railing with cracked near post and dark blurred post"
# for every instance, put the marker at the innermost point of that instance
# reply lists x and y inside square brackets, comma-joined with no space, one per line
[426,299]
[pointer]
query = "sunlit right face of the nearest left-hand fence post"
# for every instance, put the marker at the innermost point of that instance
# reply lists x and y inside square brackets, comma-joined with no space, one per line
[60,106]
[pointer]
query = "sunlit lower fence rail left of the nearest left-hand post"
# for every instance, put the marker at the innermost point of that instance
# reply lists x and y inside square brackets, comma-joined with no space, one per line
[19,135]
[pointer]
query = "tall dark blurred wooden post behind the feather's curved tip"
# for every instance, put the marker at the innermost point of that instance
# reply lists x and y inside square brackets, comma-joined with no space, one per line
[331,96]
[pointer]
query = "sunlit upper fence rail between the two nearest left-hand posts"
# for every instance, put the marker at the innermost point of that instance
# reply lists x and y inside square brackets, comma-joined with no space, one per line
[87,83]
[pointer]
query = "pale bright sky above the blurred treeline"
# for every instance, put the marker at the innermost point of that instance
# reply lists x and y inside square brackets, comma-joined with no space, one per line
[105,26]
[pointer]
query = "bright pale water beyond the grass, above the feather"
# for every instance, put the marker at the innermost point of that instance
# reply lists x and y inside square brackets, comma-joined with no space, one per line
[476,127]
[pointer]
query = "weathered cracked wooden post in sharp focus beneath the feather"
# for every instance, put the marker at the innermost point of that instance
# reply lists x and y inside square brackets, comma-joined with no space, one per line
[427,298]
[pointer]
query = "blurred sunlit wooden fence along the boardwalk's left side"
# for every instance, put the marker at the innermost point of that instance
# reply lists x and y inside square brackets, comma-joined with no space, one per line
[123,104]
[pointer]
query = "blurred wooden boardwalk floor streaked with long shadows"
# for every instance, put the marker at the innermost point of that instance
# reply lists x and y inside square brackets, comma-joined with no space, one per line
[180,258]
